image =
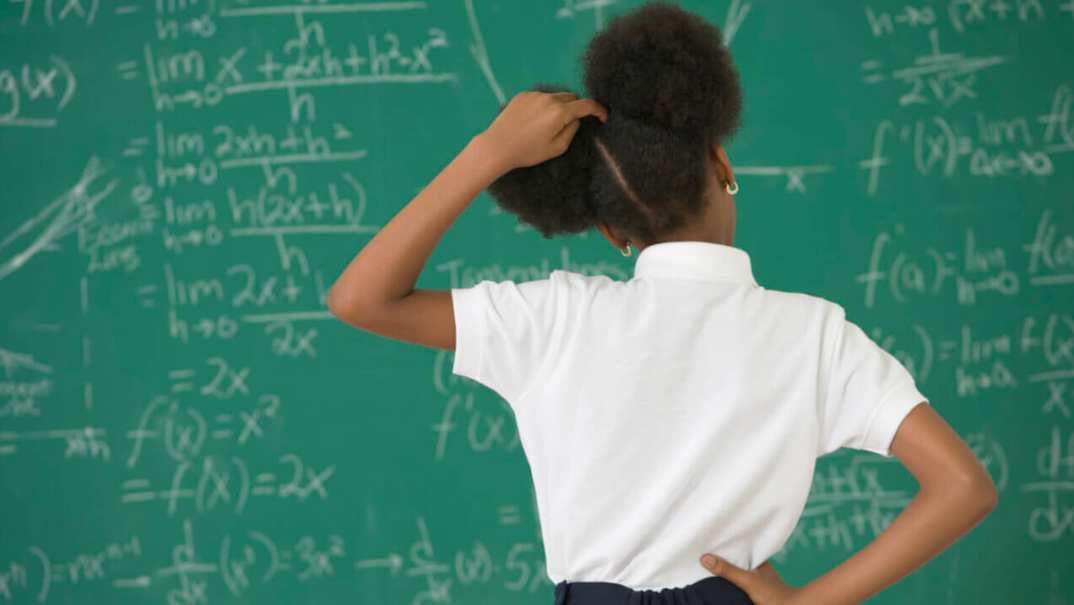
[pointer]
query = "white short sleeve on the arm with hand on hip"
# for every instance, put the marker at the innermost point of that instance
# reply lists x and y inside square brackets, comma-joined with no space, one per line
[867,395]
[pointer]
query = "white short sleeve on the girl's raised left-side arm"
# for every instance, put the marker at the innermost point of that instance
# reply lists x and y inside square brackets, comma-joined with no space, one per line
[503,333]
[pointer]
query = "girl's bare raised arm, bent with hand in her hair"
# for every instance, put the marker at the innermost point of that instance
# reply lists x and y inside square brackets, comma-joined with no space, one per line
[376,292]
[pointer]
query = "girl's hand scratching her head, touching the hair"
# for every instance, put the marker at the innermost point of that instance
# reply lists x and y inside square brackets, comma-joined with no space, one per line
[536,127]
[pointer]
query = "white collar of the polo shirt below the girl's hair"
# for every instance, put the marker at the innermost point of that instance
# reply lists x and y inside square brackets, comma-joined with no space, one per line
[695,261]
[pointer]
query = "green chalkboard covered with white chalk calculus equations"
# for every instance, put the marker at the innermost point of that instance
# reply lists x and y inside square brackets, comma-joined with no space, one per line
[182,421]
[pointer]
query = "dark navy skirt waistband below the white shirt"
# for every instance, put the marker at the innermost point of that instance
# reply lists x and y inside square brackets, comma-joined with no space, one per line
[714,590]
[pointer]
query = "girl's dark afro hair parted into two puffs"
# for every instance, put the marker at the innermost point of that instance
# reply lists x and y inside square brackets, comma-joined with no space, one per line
[672,92]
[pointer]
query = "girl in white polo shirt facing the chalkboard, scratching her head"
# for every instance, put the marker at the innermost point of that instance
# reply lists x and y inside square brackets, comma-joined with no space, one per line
[679,413]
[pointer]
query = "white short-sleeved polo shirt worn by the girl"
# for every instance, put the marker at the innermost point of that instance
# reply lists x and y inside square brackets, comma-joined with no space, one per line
[677,413]
